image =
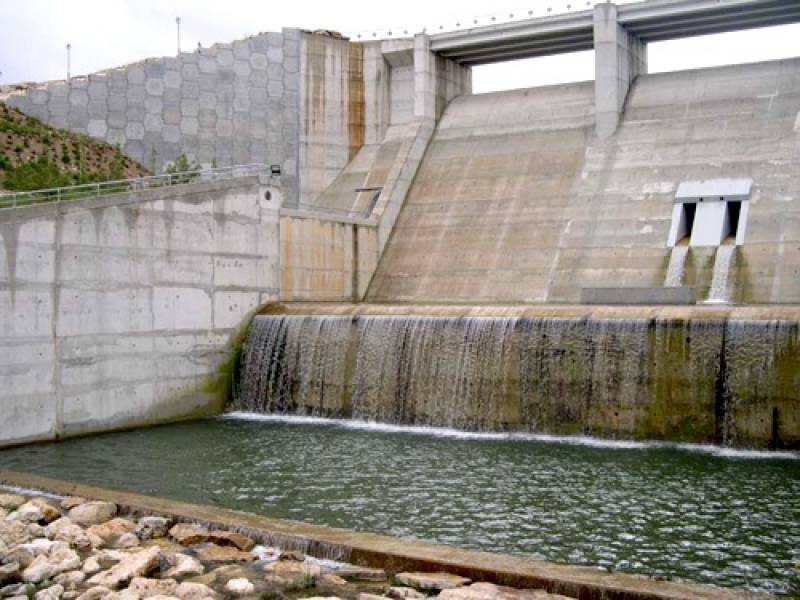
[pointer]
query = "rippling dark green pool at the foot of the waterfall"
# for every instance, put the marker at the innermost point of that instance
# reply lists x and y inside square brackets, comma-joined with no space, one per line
[663,511]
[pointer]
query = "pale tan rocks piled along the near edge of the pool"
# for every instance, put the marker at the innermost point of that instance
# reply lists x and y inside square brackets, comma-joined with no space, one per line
[54,548]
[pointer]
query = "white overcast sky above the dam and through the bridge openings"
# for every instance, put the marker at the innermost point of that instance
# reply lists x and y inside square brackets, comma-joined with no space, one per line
[107,33]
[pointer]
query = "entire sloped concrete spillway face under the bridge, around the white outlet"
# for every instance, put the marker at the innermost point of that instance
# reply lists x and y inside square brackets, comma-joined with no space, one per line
[518,201]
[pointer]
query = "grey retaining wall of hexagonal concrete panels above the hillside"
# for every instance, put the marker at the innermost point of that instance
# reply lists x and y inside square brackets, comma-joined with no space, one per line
[227,104]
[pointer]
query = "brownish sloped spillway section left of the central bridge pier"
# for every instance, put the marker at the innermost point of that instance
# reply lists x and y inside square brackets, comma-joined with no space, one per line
[482,220]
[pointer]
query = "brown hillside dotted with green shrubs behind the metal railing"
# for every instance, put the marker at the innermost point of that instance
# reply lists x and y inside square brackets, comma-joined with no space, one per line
[36,156]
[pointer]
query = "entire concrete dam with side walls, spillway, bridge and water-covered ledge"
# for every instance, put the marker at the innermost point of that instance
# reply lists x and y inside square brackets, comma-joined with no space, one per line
[616,258]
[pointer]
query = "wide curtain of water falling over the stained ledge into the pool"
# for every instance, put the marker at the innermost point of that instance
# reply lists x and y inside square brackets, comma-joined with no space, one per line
[682,379]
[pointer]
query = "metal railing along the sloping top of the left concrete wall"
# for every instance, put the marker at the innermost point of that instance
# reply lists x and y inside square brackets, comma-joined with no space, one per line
[107,188]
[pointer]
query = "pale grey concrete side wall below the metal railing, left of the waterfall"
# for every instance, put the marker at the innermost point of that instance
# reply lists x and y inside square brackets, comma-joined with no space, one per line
[120,311]
